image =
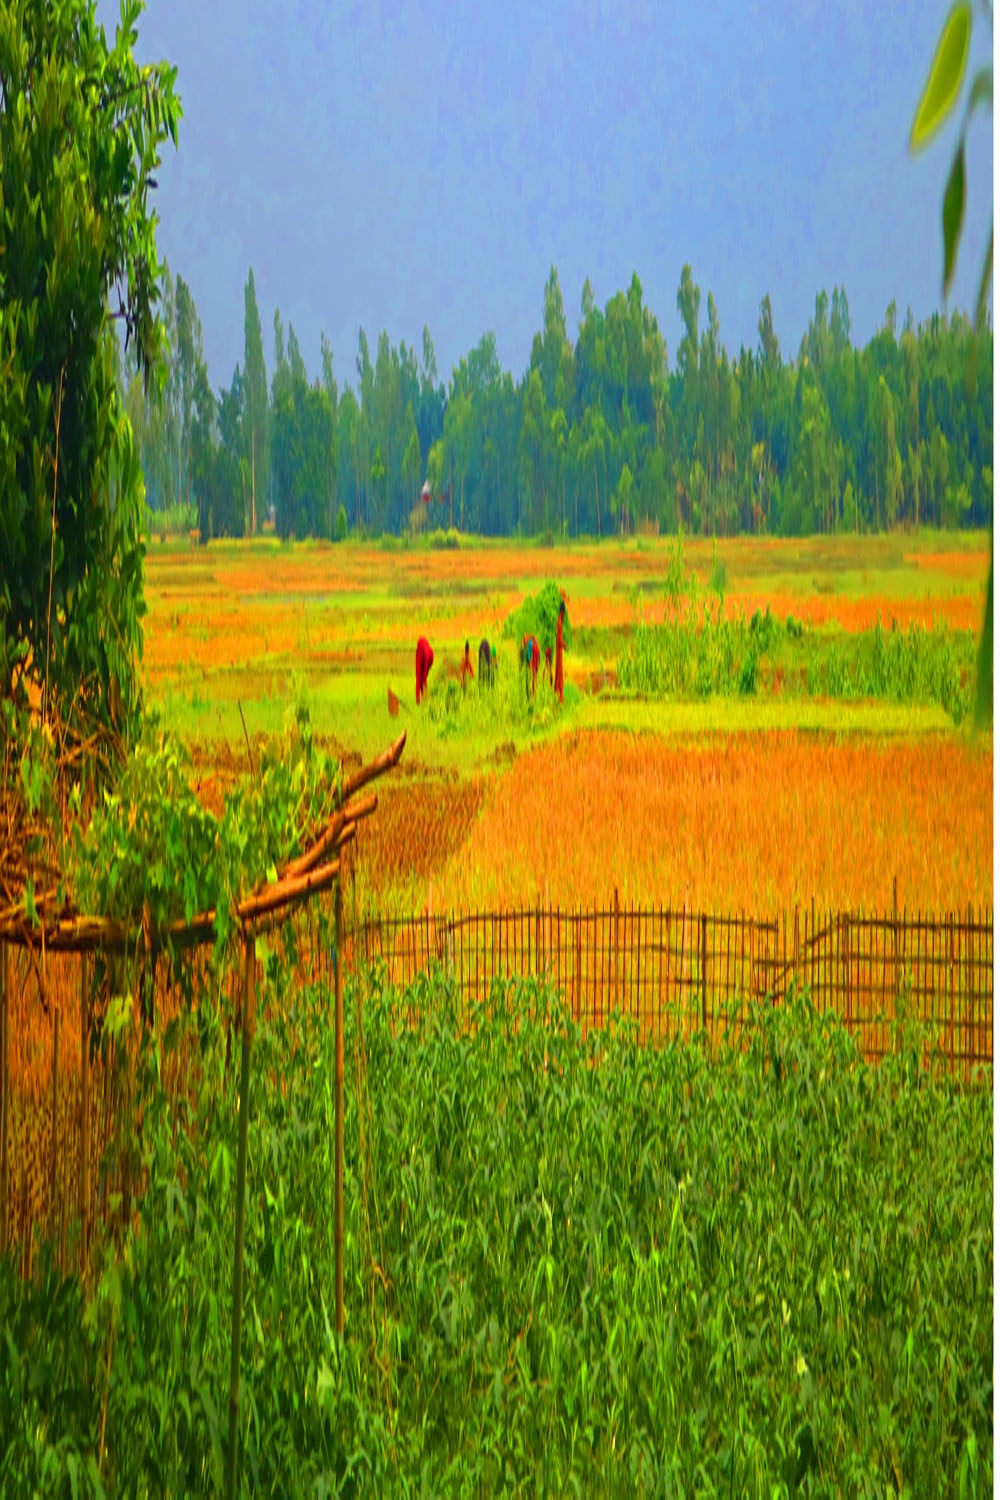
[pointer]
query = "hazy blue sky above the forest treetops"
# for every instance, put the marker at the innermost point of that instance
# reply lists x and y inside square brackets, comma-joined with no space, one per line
[397,166]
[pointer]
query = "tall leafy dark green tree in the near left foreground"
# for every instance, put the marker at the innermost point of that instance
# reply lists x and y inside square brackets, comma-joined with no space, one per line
[82,128]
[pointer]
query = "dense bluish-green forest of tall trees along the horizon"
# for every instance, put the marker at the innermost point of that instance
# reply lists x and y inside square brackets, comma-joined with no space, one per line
[600,436]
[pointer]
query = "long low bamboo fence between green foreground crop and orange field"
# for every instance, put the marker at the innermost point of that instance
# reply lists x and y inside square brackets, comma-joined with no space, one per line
[678,973]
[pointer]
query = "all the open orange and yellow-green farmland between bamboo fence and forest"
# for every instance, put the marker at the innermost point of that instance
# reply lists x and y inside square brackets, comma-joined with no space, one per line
[725,800]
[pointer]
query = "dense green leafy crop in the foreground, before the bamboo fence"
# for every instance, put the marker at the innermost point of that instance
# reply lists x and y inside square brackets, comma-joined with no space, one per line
[570,1267]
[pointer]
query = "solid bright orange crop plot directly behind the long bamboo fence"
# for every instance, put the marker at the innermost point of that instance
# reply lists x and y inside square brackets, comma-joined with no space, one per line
[747,823]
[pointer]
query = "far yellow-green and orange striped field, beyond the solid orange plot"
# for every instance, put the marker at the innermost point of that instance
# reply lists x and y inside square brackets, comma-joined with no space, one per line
[235,625]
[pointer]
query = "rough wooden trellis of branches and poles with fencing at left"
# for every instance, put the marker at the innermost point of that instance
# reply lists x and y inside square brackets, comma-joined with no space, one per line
[67,1103]
